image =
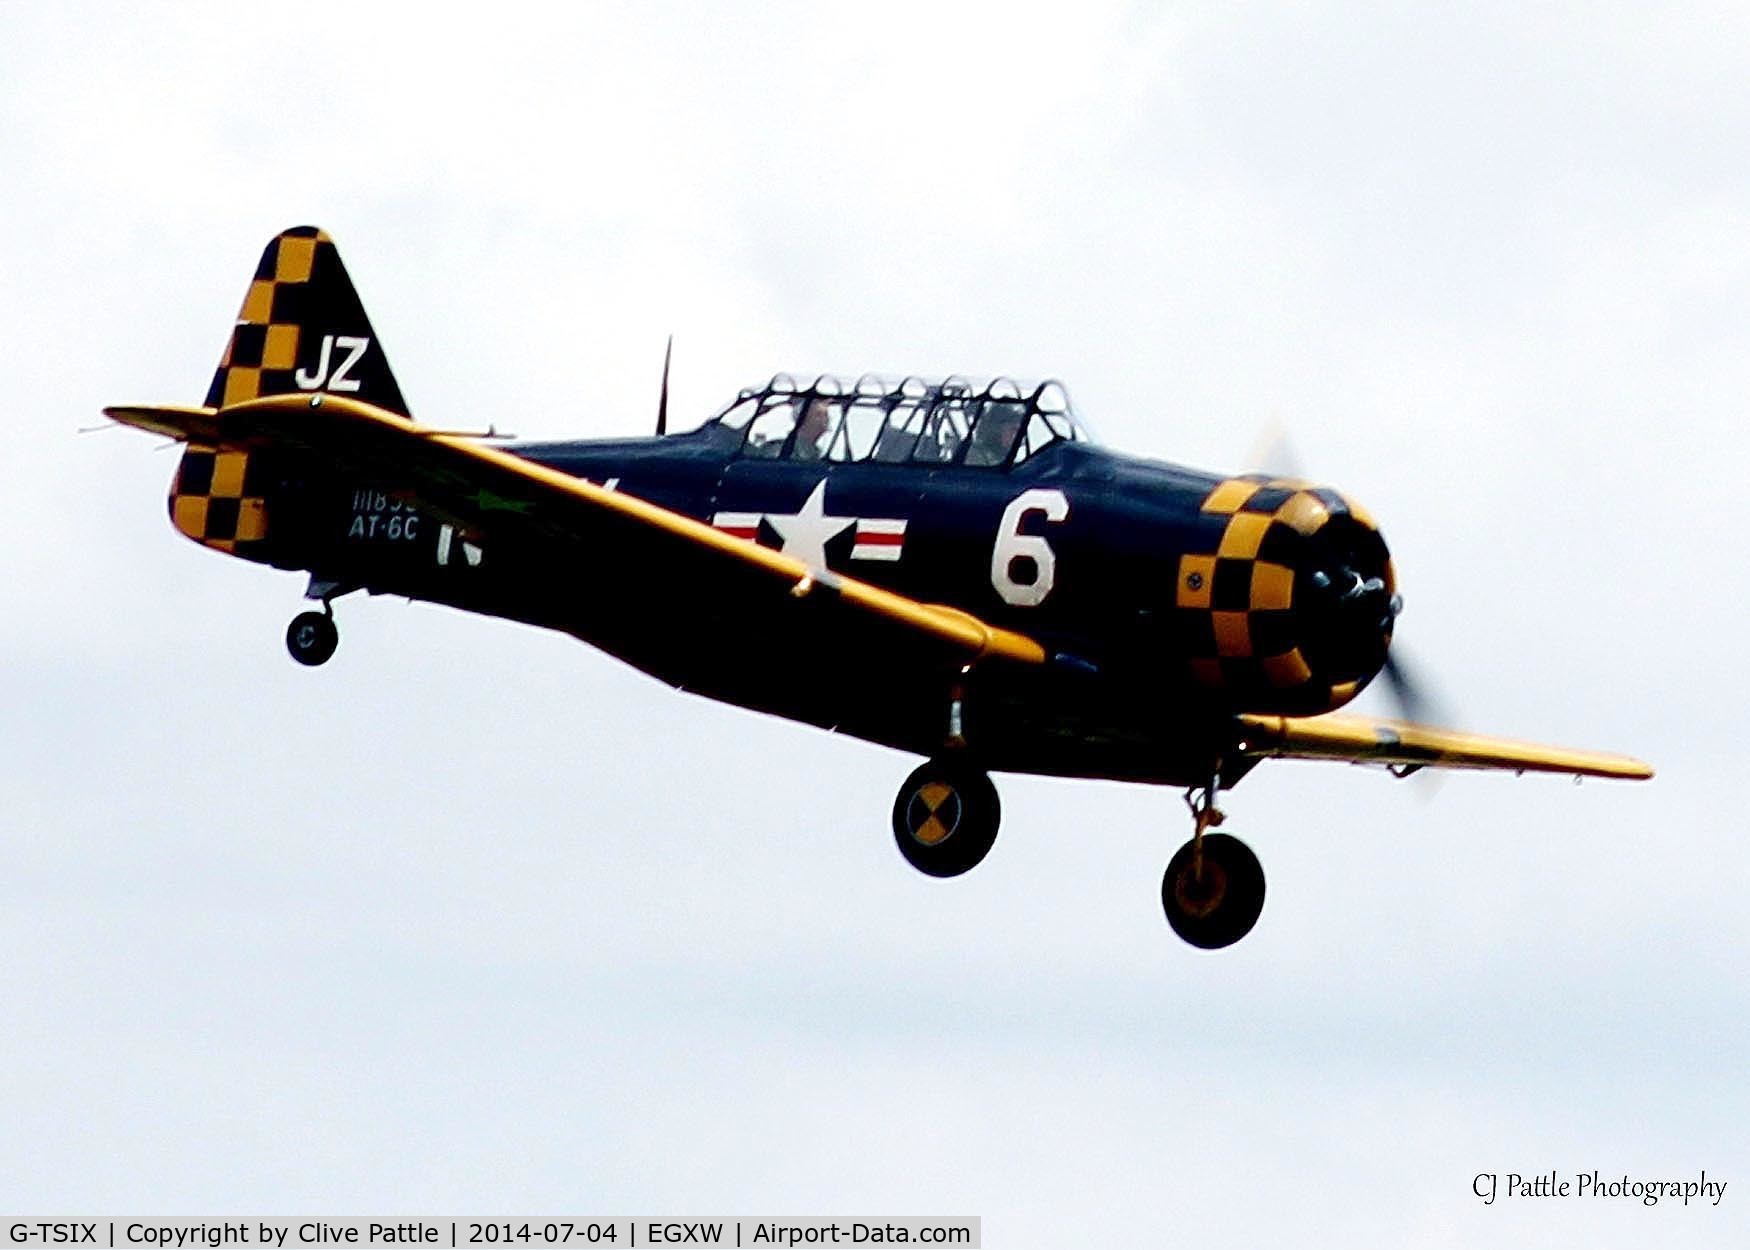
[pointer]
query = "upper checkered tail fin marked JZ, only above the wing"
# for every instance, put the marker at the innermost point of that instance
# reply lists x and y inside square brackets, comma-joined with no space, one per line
[304,328]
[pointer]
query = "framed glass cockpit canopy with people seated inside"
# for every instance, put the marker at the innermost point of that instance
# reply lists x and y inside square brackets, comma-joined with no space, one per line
[911,421]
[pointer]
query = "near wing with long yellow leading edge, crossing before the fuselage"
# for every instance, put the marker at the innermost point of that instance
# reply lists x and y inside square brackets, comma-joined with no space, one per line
[498,495]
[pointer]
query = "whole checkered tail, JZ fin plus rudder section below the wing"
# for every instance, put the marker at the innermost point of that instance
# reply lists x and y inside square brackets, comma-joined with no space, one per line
[302,330]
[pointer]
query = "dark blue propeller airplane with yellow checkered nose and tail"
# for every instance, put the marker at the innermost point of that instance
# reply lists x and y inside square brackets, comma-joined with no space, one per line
[948,568]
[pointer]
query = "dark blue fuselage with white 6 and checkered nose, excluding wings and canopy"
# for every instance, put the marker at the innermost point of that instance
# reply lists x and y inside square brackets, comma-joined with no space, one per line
[1170,600]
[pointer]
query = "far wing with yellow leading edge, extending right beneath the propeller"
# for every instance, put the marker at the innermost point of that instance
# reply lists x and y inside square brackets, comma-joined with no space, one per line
[1361,740]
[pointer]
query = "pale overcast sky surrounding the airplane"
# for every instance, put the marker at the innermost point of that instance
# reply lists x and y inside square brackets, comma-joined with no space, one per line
[477,920]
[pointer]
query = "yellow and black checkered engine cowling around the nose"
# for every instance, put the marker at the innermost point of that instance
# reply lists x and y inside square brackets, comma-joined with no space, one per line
[1238,593]
